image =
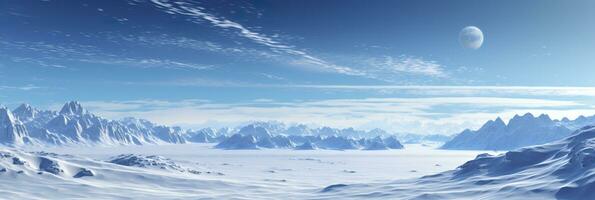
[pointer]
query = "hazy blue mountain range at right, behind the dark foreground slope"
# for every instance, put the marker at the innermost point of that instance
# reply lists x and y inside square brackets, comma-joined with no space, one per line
[520,131]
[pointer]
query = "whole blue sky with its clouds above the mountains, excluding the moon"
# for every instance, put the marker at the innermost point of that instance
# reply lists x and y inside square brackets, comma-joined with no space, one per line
[396,65]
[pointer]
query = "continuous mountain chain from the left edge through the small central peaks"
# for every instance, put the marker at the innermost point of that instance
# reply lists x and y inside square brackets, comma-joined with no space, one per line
[74,125]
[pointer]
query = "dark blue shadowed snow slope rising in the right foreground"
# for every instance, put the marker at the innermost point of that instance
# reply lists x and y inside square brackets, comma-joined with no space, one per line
[563,169]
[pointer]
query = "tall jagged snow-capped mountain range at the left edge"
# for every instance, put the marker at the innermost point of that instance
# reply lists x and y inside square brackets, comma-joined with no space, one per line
[75,125]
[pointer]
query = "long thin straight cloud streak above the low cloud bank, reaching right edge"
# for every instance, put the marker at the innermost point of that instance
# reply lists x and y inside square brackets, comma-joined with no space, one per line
[418,90]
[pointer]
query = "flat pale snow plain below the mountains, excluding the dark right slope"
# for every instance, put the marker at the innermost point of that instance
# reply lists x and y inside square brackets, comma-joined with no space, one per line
[199,171]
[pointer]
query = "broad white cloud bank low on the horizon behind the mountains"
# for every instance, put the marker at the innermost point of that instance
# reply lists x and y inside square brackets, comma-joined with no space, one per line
[421,115]
